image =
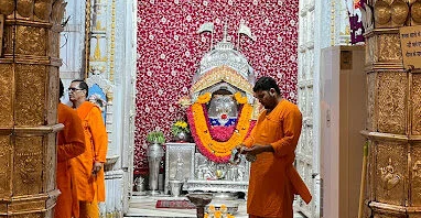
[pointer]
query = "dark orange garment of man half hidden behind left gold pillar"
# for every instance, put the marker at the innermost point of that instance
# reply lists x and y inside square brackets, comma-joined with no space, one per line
[70,143]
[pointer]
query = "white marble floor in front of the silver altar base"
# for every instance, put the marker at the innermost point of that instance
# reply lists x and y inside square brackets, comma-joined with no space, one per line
[144,206]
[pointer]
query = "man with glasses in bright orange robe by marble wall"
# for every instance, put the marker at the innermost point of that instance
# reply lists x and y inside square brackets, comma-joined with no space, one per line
[89,166]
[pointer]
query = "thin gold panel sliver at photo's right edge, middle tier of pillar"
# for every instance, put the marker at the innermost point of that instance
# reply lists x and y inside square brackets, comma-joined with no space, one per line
[416,104]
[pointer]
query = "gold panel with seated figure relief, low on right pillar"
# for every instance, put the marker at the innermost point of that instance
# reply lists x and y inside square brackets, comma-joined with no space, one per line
[392,173]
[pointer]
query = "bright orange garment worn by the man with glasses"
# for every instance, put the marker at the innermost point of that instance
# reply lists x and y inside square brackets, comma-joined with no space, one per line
[91,186]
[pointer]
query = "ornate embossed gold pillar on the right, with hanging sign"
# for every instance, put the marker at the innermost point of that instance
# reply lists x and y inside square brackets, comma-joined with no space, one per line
[394,114]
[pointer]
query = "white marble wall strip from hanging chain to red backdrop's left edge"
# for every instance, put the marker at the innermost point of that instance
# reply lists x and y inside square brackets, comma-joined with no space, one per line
[111,66]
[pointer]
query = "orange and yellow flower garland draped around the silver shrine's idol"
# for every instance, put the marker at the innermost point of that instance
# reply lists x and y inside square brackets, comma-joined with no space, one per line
[217,151]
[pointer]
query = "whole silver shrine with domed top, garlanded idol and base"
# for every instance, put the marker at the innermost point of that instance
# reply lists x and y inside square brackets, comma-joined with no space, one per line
[223,74]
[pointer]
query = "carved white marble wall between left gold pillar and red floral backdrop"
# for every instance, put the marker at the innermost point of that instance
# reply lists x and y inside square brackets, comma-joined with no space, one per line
[108,65]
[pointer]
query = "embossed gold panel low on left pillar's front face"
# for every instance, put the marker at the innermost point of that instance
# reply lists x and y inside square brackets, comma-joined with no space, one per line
[28,165]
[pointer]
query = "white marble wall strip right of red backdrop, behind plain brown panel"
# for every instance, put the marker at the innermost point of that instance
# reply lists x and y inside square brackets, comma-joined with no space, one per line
[323,23]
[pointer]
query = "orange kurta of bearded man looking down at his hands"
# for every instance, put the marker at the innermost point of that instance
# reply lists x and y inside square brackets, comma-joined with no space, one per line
[273,179]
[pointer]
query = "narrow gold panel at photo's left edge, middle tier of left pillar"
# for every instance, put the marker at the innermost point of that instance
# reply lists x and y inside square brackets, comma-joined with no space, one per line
[6,96]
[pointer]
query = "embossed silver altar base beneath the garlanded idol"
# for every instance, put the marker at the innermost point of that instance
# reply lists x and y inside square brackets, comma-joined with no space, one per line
[203,175]
